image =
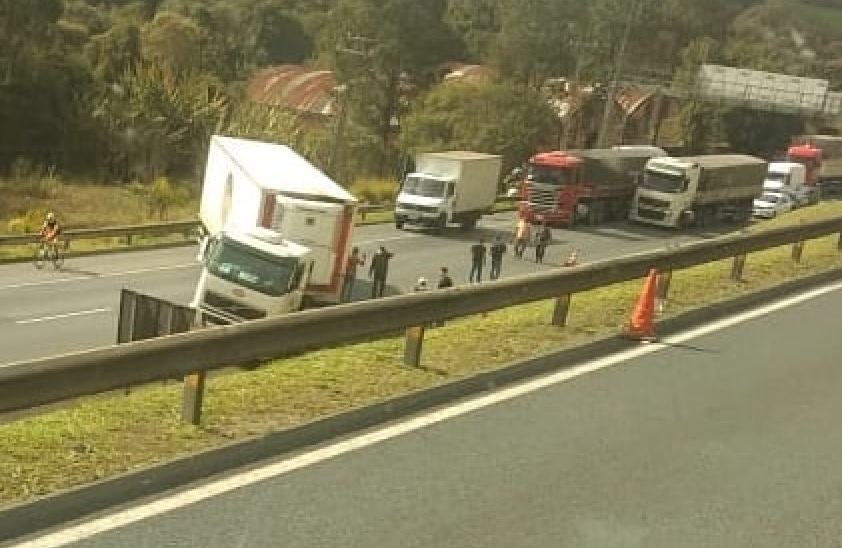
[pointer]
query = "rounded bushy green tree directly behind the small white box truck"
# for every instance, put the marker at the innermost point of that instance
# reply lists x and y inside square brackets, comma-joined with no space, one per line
[507,119]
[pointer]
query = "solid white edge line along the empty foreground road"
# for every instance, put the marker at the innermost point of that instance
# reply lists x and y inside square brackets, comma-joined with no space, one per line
[175,501]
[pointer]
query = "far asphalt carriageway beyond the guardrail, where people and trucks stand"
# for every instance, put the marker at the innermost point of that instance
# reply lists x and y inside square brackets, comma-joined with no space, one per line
[46,312]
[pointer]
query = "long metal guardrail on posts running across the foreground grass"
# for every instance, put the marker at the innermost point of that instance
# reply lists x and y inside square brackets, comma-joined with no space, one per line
[31,384]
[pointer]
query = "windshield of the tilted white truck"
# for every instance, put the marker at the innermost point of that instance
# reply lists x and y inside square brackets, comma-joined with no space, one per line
[250,268]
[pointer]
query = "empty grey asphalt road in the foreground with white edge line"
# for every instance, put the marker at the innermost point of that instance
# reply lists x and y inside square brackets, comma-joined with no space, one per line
[728,437]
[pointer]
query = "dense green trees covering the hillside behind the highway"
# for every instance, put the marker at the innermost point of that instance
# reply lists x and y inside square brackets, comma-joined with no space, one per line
[121,90]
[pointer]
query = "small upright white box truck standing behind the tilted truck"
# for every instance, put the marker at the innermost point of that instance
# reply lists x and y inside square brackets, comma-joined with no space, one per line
[448,187]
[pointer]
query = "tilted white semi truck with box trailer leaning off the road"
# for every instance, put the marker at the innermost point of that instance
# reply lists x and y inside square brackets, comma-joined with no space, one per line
[277,232]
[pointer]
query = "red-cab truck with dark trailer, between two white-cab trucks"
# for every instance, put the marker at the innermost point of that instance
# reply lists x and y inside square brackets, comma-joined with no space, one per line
[563,188]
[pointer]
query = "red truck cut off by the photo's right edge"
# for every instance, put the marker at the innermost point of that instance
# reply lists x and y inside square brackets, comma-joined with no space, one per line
[822,156]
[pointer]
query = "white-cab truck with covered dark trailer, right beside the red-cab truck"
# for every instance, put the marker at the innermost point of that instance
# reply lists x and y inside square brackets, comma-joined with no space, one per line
[698,190]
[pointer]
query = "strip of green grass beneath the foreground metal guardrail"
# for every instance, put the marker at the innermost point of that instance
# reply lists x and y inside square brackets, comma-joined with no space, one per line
[98,437]
